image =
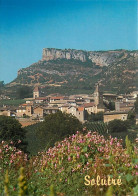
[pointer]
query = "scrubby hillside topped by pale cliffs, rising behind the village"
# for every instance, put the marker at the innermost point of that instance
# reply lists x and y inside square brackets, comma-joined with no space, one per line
[77,71]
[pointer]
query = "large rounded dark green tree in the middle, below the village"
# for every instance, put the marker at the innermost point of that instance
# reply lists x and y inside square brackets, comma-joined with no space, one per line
[56,127]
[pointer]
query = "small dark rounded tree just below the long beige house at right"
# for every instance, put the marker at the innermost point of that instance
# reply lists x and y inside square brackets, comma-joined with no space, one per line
[117,126]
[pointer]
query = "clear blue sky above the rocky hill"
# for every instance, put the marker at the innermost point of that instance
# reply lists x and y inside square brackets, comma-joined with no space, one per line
[28,26]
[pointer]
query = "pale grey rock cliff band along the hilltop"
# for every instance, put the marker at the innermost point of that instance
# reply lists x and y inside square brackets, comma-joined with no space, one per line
[100,58]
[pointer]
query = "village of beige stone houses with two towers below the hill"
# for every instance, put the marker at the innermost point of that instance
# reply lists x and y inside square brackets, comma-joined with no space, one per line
[36,108]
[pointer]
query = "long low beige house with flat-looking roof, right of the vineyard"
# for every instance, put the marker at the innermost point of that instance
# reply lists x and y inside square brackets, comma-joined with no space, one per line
[109,116]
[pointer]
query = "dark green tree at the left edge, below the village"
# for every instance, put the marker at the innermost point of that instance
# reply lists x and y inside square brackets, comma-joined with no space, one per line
[11,130]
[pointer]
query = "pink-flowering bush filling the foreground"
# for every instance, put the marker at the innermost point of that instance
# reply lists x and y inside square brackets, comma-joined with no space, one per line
[66,165]
